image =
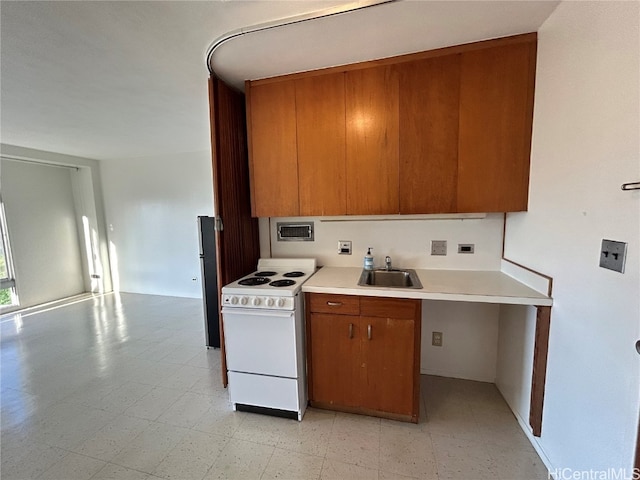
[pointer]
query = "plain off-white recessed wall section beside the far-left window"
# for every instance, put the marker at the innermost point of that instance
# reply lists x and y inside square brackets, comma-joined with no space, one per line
[43,234]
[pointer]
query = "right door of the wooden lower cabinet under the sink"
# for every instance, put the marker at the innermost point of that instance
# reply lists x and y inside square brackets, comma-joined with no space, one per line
[388,353]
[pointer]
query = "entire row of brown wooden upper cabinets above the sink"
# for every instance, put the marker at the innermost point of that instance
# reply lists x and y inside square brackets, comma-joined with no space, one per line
[446,131]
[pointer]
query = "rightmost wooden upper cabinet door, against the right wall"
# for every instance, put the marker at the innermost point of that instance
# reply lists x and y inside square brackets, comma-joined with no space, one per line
[496,113]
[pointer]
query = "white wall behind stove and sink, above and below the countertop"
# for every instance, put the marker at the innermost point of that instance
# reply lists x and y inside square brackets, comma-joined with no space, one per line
[470,330]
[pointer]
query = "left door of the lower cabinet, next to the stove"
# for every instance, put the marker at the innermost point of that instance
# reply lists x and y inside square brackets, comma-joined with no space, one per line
[335,354]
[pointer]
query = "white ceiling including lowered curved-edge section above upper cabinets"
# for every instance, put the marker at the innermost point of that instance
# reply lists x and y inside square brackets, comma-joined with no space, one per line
[127,79]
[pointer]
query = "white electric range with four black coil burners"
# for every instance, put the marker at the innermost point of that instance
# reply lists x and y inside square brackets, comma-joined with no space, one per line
[263,323]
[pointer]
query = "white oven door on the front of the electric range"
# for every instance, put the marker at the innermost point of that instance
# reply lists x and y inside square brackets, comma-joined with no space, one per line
[261,341]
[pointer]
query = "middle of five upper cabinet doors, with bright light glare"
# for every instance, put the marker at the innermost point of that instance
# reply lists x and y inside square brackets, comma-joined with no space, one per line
[372,141]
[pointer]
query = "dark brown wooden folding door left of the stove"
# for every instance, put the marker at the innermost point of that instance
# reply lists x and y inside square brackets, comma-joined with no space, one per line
[238,244]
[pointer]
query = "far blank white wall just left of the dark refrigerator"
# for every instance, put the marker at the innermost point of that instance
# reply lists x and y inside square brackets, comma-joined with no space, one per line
[151,206]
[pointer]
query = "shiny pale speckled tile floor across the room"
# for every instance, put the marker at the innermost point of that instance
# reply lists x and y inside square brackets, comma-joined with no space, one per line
[122,387]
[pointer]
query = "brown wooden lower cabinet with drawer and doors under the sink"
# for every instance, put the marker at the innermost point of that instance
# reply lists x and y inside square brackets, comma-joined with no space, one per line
[364,355]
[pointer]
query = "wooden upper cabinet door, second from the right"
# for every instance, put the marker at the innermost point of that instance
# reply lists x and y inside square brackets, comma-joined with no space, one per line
[429,102]
